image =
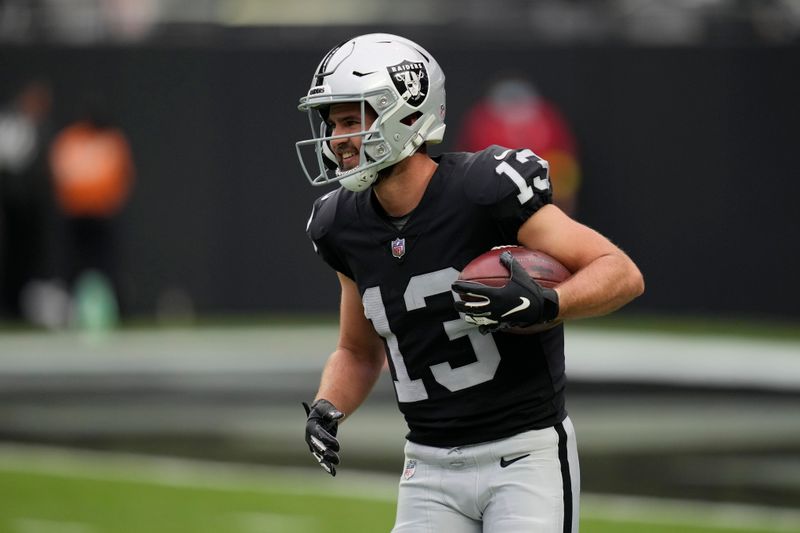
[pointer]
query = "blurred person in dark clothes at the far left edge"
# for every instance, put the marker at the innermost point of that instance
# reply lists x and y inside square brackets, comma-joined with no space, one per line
[25,131]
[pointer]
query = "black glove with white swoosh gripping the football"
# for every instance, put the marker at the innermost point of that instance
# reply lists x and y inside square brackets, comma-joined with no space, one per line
[521,302]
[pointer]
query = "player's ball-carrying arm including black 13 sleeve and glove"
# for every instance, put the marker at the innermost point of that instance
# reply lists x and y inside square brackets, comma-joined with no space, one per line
[604,277]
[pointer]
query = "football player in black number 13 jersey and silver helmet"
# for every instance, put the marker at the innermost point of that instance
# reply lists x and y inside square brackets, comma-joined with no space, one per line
[490,446]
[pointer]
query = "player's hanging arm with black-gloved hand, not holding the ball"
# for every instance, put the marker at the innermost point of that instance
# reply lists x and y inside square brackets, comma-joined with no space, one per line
[348,377]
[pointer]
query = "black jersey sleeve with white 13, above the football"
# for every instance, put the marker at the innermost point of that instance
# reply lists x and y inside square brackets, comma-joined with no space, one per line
[512,183]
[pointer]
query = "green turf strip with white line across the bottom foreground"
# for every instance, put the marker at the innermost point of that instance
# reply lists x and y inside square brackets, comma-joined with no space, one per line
[63,492]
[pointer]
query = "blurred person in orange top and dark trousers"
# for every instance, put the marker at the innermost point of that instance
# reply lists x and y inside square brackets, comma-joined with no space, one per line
[92,170]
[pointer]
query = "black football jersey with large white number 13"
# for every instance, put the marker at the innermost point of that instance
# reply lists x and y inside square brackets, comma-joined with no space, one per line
[454,385]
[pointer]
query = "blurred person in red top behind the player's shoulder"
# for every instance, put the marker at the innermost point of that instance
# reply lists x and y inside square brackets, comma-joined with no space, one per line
[514,114]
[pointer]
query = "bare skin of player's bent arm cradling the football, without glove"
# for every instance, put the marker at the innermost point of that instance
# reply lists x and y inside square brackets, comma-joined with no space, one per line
[604,278]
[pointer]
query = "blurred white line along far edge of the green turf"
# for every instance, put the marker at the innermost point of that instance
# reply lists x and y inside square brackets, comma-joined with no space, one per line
[376,487]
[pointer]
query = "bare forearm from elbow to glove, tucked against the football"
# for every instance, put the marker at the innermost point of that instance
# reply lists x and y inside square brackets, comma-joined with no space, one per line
[603,286]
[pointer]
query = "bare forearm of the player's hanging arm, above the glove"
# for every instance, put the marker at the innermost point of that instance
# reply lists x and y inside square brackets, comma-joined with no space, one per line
[348,379]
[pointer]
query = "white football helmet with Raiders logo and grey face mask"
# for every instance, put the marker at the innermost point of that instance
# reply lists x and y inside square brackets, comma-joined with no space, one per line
[397,79]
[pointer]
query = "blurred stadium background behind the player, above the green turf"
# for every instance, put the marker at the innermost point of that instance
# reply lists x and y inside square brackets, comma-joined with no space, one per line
[158,292]
